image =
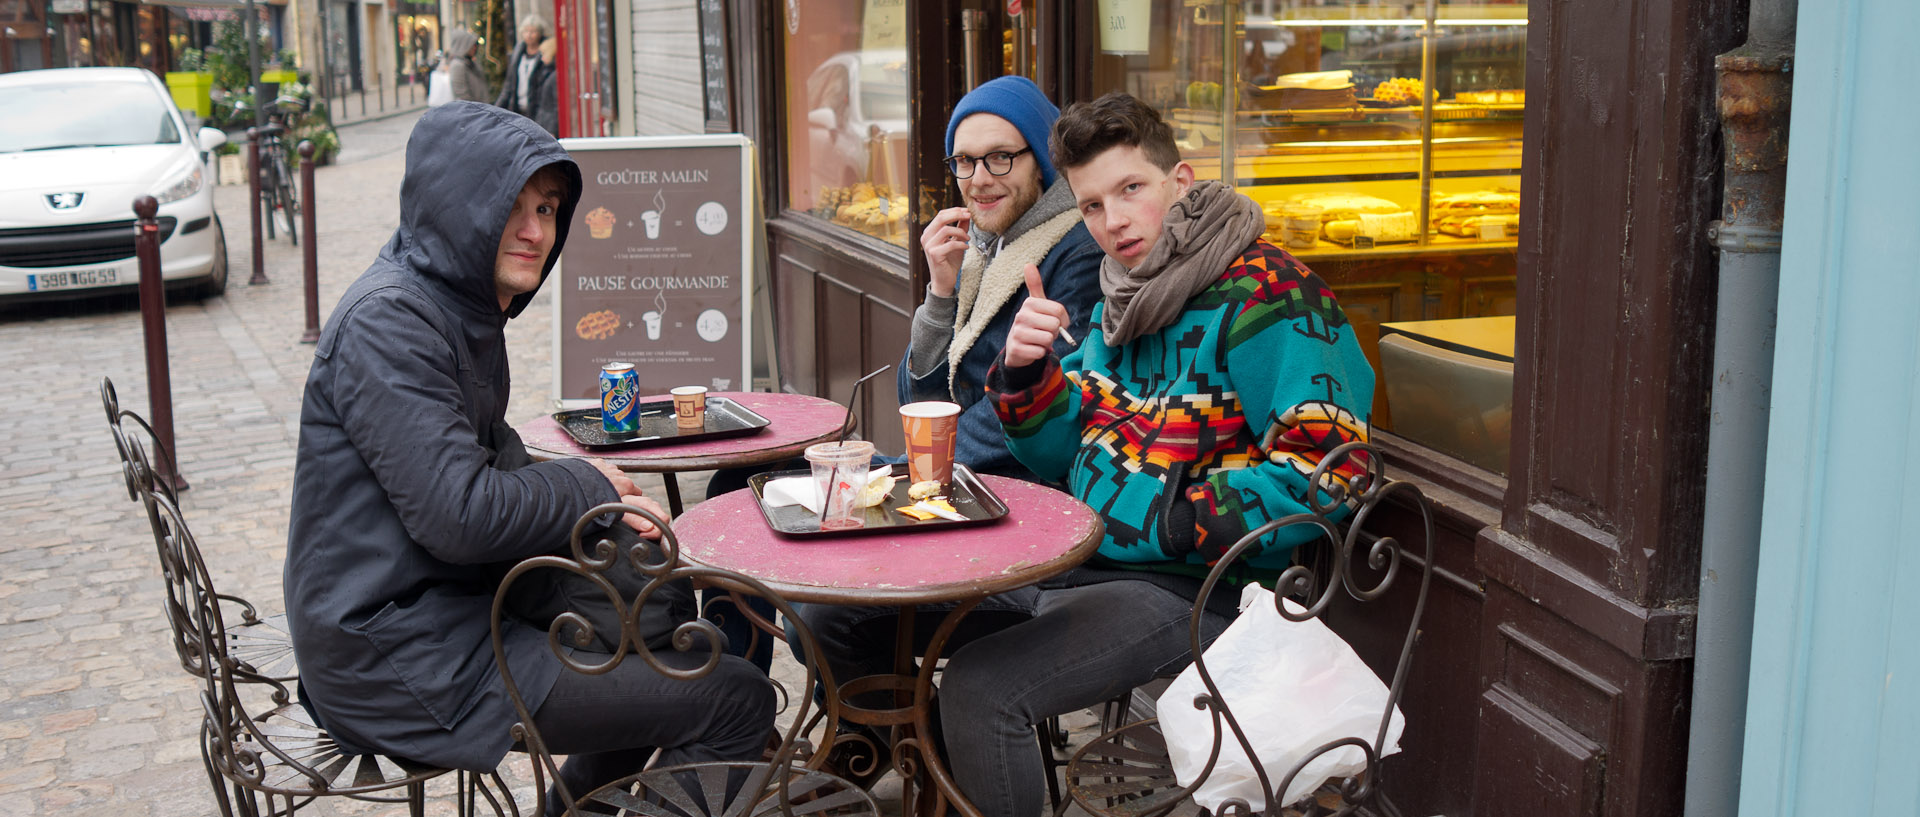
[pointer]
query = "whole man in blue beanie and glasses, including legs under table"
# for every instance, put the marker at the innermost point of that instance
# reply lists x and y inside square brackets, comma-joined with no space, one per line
[1019,218]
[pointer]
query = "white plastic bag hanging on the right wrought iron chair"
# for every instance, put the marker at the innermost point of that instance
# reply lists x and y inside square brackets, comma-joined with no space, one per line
[1293,688]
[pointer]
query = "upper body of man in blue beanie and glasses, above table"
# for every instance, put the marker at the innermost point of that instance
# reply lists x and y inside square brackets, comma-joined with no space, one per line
[1019,214]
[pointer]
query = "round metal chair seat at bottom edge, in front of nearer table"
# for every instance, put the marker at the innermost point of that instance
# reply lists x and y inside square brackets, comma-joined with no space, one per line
[700,791]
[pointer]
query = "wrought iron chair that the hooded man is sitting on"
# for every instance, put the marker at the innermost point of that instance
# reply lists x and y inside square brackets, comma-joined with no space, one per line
[266,759]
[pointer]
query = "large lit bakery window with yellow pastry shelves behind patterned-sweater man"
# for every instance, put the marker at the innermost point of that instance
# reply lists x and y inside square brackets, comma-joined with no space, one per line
[1383,143]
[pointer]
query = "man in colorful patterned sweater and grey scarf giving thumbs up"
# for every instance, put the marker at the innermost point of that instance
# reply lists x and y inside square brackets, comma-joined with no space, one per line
[1218,371]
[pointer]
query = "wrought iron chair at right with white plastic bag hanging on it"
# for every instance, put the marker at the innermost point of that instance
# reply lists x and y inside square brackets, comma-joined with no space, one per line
[1126,772]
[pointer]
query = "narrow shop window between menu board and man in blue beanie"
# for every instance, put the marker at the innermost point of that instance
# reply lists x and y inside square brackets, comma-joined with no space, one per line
[848,114]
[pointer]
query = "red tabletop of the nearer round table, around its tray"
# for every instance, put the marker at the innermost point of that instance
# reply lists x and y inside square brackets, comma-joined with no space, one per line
[1044,534]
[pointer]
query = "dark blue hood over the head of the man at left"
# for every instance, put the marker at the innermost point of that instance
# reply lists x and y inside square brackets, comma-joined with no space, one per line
[466,166]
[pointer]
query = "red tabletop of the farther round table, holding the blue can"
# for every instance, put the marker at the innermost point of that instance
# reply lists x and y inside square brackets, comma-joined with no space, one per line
[794,425]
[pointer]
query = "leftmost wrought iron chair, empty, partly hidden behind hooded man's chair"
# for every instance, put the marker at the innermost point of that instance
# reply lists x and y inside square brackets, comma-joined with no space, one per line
[260,645]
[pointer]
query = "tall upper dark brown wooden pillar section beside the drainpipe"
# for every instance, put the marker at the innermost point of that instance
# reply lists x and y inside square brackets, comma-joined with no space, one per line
[1620,181]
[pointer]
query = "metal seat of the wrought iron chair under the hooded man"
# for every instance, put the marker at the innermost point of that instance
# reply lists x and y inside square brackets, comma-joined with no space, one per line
[295,734]
